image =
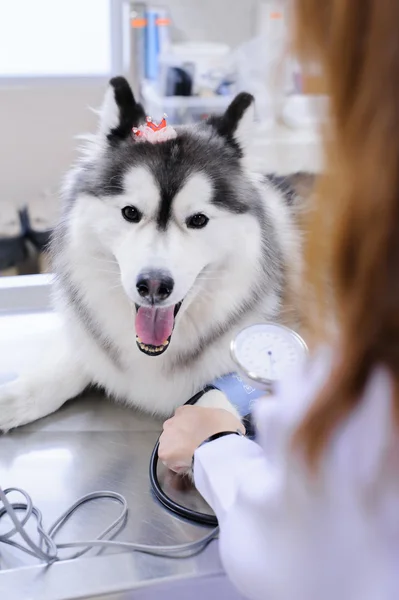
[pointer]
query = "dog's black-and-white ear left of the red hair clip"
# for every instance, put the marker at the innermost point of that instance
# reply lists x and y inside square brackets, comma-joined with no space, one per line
[120,112]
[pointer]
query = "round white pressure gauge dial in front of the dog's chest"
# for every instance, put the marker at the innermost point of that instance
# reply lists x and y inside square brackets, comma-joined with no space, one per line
[267,353]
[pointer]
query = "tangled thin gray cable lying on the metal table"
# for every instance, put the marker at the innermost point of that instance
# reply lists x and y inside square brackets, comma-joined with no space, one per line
[50,553]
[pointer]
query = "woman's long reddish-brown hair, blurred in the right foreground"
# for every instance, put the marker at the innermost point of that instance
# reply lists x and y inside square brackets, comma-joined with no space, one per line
[353,247]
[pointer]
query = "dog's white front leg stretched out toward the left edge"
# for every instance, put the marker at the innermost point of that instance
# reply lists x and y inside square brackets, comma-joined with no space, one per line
[57,377]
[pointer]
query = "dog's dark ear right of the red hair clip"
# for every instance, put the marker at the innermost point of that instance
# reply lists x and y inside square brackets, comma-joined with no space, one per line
[236,125]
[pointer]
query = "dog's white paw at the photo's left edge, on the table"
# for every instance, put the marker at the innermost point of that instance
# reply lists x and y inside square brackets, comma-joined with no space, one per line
[18,405]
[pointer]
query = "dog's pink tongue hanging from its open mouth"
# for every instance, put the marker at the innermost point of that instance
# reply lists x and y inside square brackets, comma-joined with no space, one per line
[154,325]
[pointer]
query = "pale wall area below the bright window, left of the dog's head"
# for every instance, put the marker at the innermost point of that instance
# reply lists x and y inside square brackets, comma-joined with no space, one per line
[37,128]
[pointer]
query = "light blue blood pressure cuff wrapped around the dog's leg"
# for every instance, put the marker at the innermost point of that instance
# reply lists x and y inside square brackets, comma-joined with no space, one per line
[241,395]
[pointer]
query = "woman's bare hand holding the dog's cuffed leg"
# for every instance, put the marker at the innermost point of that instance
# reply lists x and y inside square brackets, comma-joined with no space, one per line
[192,425]
